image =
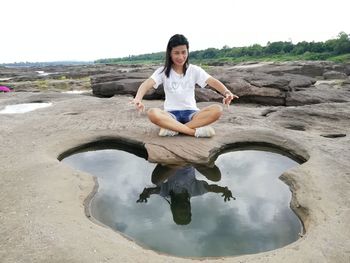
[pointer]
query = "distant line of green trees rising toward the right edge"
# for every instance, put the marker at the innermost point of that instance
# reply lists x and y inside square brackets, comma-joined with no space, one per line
[308,50]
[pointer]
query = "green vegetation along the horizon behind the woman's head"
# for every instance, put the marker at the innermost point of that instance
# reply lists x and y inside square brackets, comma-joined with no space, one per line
[337,50]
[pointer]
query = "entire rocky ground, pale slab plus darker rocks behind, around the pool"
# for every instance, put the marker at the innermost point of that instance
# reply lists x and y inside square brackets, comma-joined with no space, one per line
[300,107]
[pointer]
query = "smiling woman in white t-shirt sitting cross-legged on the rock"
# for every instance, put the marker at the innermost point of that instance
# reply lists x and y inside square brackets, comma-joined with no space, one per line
[180,114]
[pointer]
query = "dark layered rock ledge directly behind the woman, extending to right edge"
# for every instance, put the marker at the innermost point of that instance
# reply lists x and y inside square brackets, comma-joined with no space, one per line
[287,84]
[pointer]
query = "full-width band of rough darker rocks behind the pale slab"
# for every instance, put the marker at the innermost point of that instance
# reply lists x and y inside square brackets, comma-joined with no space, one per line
[275,84]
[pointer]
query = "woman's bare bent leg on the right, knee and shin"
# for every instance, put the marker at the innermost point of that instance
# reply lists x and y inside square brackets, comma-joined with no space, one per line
[205,116]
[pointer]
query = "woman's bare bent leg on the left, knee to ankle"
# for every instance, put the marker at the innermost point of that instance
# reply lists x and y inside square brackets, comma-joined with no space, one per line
[164,120]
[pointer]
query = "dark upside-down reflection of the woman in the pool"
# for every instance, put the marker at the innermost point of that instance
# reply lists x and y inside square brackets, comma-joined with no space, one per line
[179,183]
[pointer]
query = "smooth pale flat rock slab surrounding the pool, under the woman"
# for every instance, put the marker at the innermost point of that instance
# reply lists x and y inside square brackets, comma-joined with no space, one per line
[43,202]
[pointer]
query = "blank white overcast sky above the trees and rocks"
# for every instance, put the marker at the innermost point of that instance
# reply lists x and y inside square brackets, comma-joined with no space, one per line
[86,30]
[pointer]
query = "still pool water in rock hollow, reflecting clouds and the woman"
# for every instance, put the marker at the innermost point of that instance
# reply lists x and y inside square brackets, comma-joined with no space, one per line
[238,206]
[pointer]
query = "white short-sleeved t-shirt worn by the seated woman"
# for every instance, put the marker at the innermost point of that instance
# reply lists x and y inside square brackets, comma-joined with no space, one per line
[179,89]
